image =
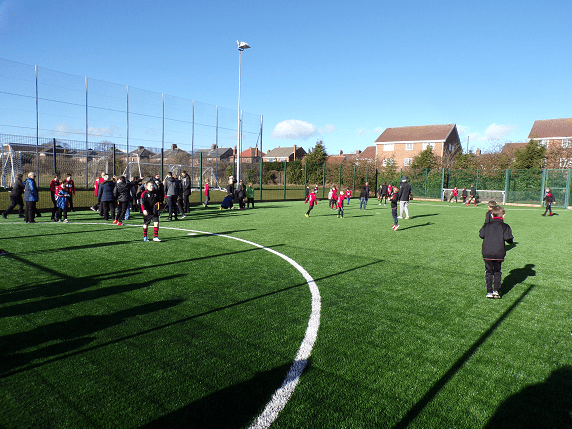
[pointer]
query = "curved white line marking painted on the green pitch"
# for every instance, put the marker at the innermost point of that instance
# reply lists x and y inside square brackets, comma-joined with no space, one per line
[283,394]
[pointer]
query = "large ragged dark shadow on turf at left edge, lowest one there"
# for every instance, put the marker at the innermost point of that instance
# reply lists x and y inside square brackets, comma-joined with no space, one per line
[69,335]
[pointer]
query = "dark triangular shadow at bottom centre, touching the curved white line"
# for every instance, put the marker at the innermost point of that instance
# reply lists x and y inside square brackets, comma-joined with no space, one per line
[232,407]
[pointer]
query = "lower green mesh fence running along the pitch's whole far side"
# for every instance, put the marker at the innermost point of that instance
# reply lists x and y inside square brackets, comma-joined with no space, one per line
[271,180]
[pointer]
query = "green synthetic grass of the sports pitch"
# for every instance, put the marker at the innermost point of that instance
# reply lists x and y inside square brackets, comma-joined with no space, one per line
[99,329]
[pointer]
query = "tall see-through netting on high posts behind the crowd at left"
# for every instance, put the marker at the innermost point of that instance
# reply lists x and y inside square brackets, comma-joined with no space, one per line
[86,119]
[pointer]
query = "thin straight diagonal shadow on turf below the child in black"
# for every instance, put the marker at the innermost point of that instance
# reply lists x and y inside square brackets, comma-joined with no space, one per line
[420,405]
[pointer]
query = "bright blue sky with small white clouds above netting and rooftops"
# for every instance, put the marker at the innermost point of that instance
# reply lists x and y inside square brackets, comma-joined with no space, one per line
[339,71]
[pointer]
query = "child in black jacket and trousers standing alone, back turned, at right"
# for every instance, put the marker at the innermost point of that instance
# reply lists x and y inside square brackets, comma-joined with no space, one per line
[494,235]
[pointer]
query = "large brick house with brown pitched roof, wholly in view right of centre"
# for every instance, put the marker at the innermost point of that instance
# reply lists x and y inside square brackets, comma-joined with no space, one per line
[405,143]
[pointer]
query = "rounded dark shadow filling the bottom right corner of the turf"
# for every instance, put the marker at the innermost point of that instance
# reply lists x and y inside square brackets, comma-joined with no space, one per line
[542,405]
